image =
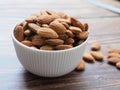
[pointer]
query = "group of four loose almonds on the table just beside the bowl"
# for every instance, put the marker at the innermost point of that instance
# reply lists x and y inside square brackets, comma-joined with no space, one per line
[95,54]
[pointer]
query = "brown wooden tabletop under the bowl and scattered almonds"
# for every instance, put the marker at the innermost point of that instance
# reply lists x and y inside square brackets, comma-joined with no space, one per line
[104,28]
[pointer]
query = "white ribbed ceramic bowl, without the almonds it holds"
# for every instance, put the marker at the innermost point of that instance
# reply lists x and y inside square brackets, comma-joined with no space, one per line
[48,63]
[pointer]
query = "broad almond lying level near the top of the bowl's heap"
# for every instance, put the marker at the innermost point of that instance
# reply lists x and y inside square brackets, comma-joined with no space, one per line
[45,19]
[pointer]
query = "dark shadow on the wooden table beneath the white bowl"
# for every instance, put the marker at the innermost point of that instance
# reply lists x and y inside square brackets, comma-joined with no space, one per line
[33,81]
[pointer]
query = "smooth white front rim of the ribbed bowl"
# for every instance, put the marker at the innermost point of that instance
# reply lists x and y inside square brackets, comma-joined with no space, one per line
[53,51]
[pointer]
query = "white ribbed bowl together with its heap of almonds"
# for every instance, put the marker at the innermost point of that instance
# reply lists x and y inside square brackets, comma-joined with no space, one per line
[56,39]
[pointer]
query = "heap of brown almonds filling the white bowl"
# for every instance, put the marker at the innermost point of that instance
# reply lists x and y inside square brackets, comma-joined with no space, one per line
[49,30]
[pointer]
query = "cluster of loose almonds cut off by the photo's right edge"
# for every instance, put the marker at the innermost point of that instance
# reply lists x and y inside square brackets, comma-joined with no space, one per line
[114,57]
